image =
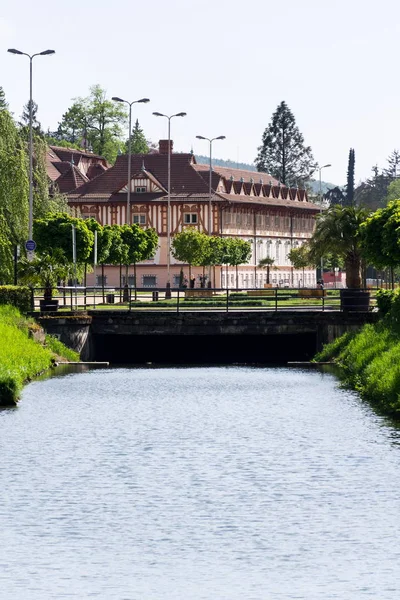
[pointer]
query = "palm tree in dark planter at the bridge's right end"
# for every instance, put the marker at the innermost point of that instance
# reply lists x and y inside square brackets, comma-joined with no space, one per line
[337,232]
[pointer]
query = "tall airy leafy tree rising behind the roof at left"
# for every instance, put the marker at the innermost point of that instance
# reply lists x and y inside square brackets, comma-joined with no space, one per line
[97,121]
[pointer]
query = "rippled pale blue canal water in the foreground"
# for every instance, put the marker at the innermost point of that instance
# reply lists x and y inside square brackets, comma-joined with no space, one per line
[200,483]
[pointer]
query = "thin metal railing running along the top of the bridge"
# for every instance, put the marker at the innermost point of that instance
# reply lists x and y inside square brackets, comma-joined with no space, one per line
[201,299]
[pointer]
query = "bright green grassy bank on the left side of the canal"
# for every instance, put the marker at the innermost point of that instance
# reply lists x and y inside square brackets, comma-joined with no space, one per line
[21,357]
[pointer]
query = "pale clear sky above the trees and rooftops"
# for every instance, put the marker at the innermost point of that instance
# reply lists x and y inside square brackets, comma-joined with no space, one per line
[227,63]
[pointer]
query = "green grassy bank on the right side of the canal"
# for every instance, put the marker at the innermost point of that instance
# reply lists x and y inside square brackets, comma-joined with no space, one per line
[370,358]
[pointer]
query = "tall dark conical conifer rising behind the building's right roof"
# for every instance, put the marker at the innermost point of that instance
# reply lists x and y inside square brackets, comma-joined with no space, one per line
[282,153]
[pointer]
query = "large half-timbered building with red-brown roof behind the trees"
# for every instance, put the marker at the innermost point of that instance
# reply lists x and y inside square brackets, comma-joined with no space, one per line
[250,205]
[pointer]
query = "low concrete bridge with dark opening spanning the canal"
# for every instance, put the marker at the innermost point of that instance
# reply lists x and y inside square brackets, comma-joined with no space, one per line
[201,337]
